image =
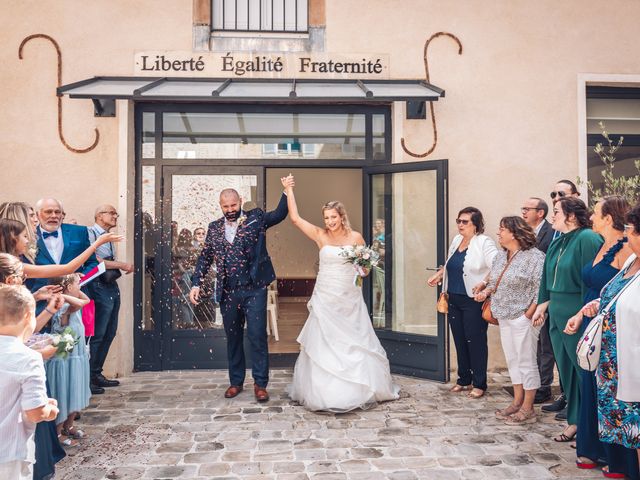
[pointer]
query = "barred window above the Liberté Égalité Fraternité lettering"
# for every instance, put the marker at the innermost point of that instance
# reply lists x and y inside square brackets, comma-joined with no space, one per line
[280,16]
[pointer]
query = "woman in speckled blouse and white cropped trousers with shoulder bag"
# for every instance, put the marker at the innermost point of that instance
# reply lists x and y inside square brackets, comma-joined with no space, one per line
[513,288]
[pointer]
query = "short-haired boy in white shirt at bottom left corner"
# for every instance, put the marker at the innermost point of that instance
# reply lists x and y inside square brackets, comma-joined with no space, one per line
[23,394]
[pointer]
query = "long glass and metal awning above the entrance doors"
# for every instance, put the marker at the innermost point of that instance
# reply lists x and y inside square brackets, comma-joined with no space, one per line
[269,90]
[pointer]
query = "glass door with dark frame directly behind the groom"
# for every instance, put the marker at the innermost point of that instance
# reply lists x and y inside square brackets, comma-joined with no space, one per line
[194,335]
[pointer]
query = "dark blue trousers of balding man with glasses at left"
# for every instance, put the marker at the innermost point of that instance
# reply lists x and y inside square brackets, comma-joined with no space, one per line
[106,296]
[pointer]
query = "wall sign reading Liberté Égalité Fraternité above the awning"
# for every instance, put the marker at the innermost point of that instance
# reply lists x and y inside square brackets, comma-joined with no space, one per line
[262,65]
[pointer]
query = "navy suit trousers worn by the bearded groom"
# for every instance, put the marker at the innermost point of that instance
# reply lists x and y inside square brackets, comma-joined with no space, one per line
[250,305]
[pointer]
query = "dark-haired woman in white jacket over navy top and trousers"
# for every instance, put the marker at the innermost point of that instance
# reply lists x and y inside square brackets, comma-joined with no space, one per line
[470,257]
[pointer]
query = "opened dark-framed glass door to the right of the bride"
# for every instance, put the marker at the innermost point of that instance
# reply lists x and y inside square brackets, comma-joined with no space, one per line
[407,211]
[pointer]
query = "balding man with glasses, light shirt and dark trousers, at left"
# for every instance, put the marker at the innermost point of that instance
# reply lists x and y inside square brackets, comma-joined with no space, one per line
[106,296]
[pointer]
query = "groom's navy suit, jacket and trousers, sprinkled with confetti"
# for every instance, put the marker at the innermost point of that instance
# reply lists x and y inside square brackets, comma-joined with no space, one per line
[244,270]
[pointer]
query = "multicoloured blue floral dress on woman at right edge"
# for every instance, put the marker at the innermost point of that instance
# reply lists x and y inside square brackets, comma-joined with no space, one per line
[618,421]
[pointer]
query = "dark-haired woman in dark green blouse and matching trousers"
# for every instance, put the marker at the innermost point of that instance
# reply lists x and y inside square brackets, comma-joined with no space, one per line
[562,292]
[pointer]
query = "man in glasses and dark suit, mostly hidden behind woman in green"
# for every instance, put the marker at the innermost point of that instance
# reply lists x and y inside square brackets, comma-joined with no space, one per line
[534,212]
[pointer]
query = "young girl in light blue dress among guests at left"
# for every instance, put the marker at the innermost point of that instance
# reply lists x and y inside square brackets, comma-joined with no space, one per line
[69,377]
